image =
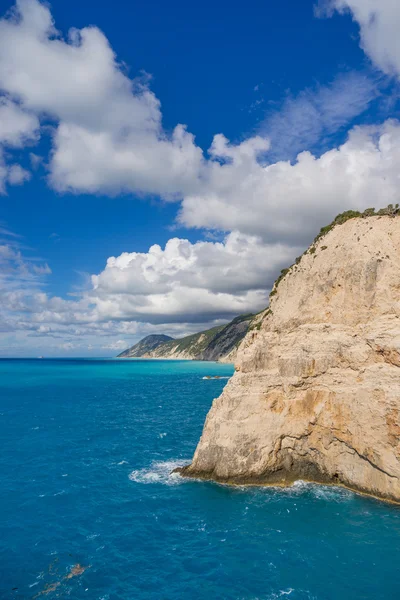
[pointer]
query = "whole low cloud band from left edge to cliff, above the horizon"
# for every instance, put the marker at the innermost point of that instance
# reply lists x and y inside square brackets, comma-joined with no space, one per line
[177,289]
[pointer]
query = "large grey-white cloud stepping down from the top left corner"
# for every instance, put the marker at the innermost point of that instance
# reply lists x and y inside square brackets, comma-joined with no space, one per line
[109,137]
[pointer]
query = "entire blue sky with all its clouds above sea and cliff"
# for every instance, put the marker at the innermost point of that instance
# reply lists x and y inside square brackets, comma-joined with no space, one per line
[160,163]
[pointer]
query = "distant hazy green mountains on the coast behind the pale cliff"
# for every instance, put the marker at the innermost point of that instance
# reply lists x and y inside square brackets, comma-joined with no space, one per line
[219,343]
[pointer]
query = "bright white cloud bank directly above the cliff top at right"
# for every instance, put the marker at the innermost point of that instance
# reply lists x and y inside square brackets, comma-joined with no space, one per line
[289,202]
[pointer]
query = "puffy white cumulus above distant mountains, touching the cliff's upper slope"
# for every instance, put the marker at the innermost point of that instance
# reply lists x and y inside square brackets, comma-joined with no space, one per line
[189,282]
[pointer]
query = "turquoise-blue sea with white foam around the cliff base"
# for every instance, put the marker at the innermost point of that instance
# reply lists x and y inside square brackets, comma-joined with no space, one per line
[89,508]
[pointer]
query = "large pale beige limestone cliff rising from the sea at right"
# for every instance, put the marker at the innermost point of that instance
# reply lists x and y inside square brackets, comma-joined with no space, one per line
[316,393]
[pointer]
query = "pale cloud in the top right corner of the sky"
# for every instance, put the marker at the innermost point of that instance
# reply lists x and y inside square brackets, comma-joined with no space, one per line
[379,22]
